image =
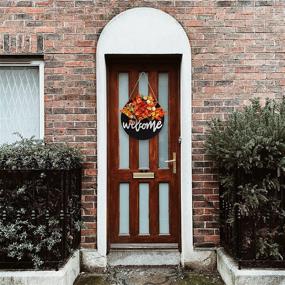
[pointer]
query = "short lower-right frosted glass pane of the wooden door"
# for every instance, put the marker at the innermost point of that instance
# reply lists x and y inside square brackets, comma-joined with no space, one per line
[164,208]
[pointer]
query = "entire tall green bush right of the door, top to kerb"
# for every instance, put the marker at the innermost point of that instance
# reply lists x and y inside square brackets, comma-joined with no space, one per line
[249,150]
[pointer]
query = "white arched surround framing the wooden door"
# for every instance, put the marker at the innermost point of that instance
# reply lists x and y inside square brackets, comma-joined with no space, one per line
[145,31]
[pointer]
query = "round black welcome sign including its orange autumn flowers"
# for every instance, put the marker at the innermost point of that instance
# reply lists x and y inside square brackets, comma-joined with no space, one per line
[142,117]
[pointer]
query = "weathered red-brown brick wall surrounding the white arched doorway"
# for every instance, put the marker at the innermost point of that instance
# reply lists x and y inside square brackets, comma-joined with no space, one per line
[238,52]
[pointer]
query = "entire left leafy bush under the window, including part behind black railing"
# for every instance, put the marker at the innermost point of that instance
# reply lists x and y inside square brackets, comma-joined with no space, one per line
[39,204]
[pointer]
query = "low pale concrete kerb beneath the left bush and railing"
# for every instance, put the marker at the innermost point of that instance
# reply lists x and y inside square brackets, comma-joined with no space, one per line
[64,276]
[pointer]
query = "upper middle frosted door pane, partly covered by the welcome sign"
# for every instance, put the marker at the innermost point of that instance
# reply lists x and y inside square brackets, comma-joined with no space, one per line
[143,144]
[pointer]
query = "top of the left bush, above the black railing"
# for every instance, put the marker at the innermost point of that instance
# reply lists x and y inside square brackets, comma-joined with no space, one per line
[34,154]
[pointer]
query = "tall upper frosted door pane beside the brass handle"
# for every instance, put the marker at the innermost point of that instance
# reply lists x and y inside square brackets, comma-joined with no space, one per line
[163,135]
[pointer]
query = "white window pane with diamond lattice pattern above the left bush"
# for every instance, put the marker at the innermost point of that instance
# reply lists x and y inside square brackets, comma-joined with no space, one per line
[19,103]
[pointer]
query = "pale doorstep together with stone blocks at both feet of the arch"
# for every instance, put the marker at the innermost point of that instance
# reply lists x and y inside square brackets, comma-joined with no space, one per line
[200,259]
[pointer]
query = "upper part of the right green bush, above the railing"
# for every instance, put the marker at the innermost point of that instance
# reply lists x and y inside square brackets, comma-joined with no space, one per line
[250,139]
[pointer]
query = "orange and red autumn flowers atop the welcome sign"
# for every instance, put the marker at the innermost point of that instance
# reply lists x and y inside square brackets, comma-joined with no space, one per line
[143,107]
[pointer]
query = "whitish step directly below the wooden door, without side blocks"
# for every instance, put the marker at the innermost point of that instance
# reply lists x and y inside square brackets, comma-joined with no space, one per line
[144,257]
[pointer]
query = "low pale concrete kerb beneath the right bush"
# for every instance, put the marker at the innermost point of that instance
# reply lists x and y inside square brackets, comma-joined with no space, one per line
[231,275]
